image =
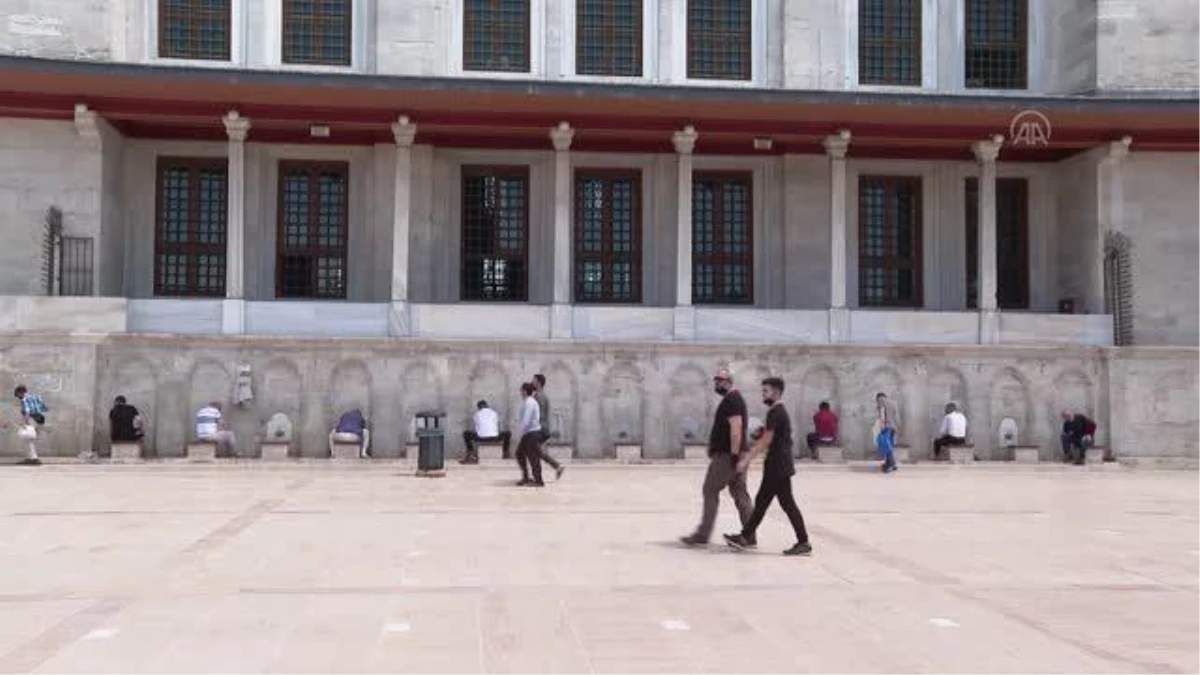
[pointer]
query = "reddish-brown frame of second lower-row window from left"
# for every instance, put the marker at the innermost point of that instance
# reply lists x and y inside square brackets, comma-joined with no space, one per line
[313,252]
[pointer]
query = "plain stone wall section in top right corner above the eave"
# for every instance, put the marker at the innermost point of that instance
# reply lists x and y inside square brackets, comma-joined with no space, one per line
[1149,45]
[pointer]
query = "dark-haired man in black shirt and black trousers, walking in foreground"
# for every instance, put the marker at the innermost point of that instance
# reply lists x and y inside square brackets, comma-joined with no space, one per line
[777,474]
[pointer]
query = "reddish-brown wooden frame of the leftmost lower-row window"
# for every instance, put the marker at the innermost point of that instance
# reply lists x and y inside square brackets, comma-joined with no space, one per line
[189,249]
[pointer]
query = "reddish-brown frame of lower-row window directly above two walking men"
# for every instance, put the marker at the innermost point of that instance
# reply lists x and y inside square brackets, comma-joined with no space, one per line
[723,261]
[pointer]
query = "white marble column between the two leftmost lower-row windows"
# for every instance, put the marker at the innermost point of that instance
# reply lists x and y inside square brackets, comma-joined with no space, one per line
[233,316]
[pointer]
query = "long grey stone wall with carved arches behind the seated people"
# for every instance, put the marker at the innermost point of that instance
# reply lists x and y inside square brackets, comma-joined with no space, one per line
[601,393]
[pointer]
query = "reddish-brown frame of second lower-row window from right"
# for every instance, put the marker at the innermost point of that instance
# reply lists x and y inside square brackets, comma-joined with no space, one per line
[890,261]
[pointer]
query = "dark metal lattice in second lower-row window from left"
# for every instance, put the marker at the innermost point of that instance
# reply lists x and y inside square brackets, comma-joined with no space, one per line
[314,222]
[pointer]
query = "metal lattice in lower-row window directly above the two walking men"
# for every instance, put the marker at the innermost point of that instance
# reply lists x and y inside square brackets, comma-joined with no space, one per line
[722,240]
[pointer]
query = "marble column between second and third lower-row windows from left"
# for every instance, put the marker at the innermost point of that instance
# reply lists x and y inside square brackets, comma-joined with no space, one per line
[405,133]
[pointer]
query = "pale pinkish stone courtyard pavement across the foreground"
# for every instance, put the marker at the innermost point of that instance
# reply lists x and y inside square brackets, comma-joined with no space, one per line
[347,570]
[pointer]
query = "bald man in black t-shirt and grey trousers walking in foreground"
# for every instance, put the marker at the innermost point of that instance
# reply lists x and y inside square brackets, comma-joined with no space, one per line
[727,445]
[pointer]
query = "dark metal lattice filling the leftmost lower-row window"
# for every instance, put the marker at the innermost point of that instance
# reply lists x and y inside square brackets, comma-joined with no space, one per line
[190,237]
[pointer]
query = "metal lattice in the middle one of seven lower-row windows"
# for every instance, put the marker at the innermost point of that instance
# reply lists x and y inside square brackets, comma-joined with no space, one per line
[608,238]
